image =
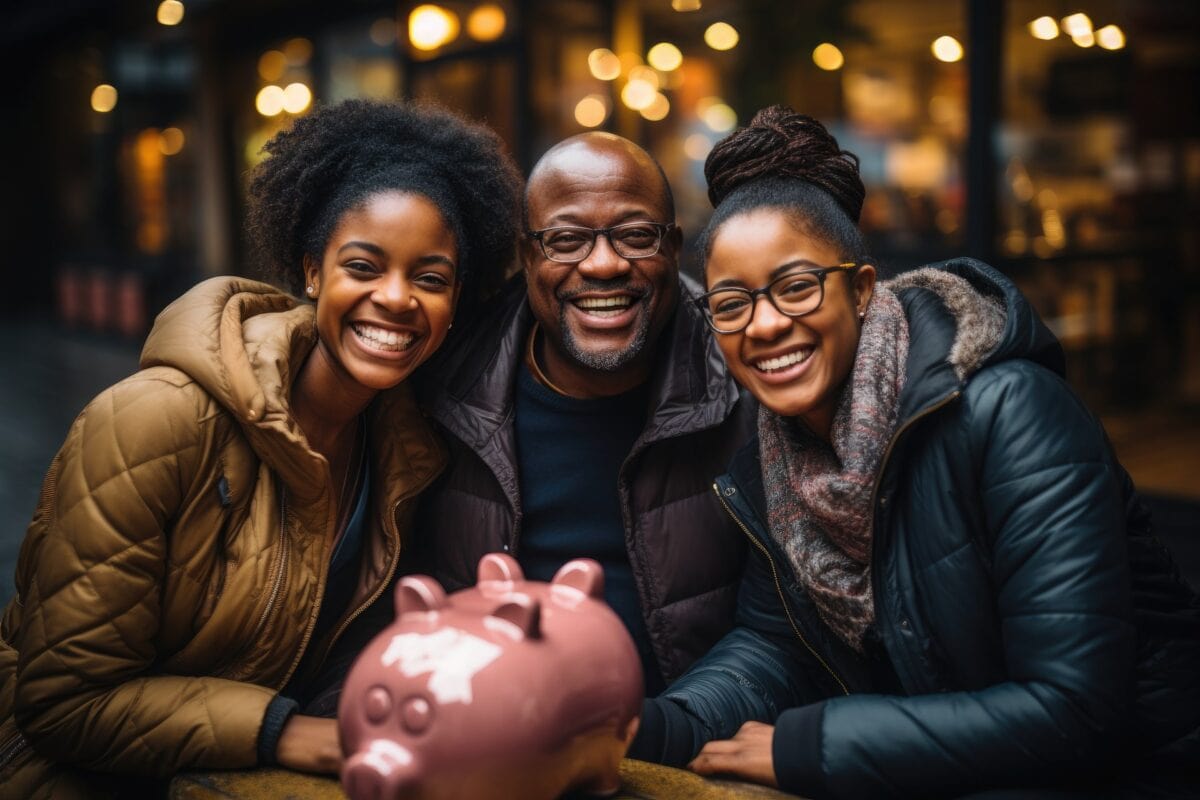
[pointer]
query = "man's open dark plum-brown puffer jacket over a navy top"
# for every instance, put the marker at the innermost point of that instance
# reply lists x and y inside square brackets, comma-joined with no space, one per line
[687,555]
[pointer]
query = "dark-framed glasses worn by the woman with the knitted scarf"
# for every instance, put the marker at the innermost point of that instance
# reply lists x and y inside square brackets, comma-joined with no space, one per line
[730,310]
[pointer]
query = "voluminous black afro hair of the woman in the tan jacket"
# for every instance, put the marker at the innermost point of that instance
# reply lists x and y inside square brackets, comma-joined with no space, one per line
[339,157]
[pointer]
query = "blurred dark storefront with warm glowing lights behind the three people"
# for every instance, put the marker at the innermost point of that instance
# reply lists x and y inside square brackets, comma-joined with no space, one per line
[1060,141]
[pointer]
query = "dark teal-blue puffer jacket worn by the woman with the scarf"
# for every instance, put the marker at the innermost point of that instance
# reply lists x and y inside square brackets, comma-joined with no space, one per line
[1035,627]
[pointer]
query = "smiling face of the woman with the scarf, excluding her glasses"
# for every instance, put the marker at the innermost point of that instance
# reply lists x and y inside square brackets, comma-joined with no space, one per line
[795,366]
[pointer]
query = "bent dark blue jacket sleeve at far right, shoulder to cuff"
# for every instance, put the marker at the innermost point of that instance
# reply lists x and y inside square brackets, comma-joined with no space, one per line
[1055,534]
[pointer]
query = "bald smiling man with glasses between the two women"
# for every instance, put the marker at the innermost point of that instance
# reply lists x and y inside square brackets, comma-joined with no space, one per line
[590,412]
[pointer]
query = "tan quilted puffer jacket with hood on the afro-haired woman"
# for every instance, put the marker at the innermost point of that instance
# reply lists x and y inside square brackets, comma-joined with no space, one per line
[171,579]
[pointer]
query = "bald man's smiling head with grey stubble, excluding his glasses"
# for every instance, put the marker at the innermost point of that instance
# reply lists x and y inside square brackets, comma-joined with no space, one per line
[602,316]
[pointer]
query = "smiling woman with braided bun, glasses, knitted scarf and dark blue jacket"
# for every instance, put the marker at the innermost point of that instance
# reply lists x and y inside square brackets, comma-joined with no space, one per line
[955,587]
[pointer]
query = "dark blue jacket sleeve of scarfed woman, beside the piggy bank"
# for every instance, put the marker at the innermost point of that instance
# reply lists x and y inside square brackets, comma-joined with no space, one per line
[753,673]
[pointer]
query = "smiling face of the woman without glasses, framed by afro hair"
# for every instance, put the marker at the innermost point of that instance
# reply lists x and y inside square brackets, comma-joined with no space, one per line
[386,291]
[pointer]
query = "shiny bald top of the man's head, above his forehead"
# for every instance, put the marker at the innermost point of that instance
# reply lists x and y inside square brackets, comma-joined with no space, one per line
[593,153]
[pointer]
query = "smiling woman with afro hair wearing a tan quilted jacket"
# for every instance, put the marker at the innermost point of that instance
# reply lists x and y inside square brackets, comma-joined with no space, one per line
[217,521]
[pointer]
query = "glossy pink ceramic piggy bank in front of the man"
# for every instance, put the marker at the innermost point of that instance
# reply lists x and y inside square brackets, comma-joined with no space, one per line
[513,689]
